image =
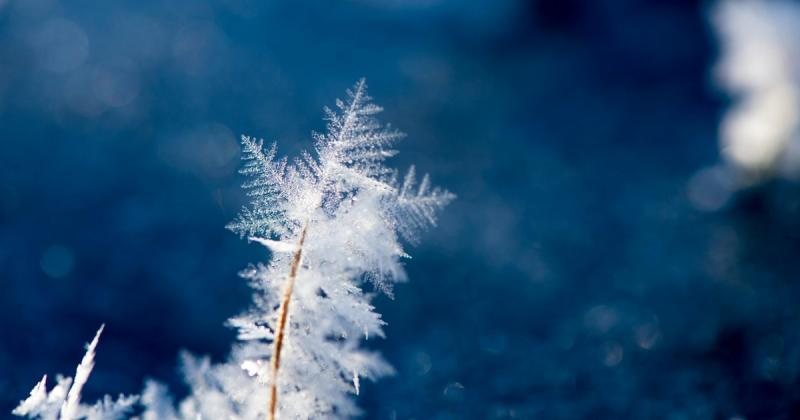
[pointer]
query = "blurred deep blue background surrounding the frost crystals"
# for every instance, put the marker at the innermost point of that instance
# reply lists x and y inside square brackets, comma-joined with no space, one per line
[571,279]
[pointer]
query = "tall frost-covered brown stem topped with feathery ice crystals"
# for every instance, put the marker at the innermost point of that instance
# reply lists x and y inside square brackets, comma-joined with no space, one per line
[333,221]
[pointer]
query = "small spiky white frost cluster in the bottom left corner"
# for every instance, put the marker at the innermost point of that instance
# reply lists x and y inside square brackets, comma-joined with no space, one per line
[63,401]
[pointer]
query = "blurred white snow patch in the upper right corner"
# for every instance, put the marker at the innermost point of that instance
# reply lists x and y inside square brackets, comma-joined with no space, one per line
[760,68]
